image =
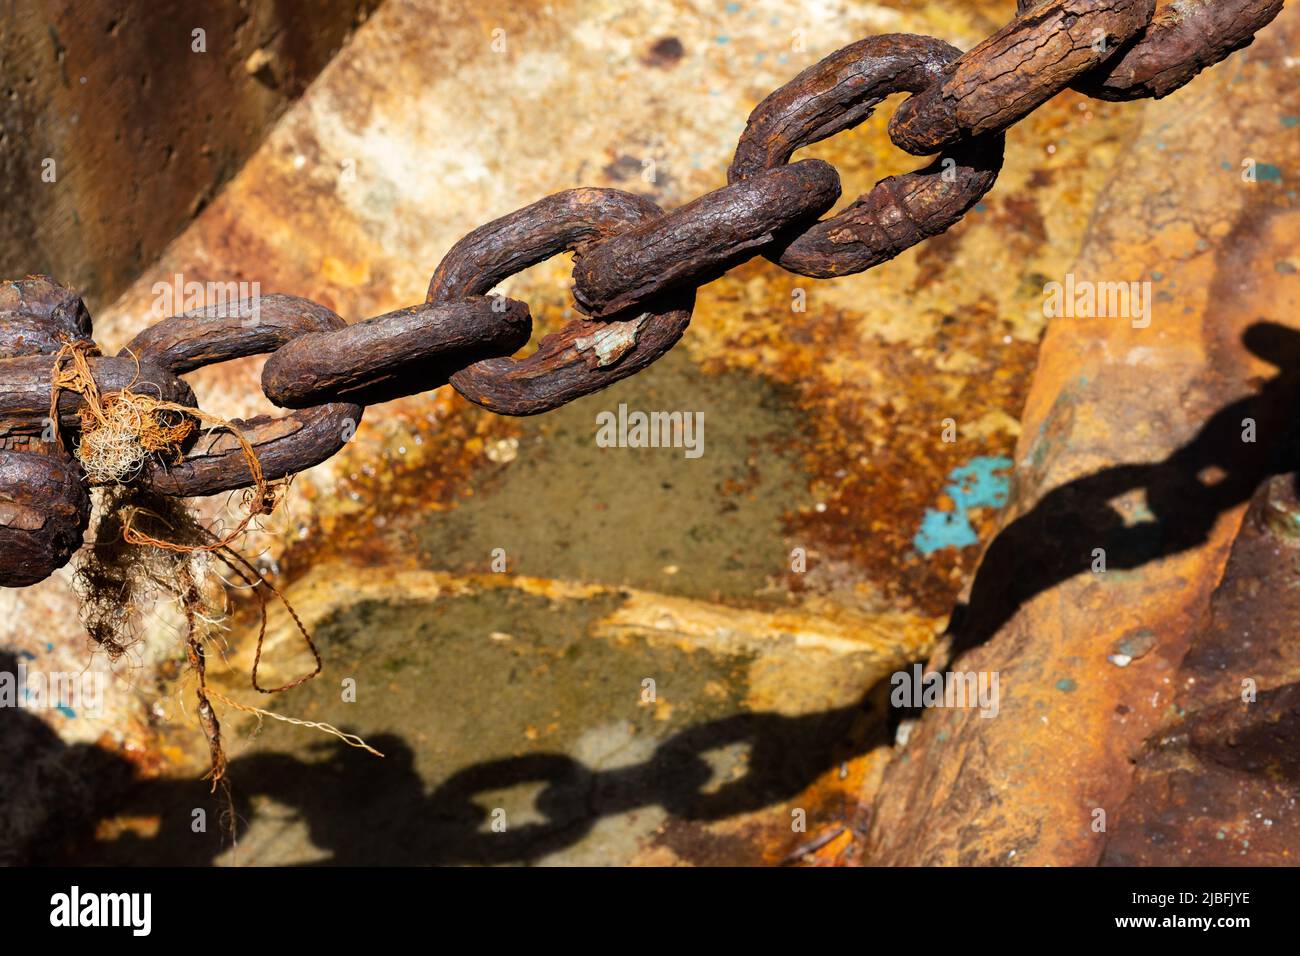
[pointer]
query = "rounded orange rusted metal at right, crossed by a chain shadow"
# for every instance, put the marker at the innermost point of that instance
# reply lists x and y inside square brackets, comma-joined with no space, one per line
[1136,443]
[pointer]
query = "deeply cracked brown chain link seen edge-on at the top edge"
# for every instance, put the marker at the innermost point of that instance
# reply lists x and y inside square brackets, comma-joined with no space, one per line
[1017,70]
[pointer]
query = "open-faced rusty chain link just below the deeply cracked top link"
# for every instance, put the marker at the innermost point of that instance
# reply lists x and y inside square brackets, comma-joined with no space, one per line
[838,94]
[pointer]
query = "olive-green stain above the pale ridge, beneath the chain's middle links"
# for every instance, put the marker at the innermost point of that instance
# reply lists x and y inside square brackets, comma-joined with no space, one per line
[642,517]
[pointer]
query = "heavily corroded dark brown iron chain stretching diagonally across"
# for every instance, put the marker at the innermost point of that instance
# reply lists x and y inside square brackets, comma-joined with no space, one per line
[636,267]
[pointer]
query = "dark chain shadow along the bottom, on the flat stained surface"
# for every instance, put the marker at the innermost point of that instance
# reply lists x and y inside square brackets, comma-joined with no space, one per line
[361,811]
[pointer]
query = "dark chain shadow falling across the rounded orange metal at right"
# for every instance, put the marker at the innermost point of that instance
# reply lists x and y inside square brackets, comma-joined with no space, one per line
[1186,495]
